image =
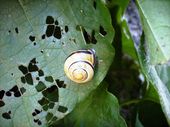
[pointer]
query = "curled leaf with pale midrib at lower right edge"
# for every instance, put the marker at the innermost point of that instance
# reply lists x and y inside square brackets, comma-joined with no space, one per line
[158,76]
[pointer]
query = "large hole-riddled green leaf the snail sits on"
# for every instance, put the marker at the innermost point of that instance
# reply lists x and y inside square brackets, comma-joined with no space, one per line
[35,39]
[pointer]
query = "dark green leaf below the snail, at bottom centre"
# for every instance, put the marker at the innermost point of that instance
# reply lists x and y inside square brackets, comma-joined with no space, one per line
[99,109]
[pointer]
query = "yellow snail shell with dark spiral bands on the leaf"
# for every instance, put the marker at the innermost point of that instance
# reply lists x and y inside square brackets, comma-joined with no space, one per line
[79,65]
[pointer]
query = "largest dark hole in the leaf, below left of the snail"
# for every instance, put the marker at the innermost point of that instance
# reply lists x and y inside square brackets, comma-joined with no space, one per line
[51,93]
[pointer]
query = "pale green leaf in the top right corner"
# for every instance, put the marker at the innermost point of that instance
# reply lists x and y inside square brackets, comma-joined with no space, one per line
[155,20]
